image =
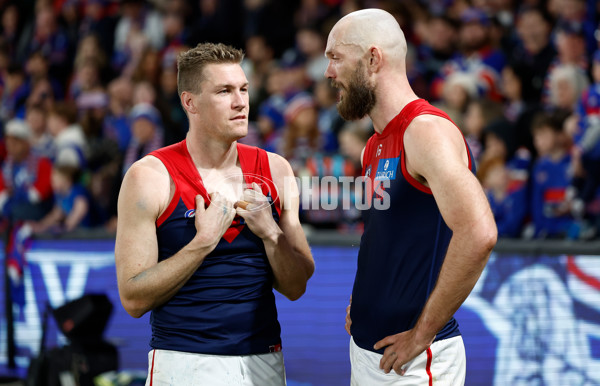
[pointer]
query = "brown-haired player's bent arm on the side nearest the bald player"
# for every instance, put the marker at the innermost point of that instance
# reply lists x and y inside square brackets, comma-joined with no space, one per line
[285,243]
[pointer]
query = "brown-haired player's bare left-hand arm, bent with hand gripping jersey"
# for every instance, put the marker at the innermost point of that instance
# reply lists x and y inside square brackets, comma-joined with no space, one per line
[145,193]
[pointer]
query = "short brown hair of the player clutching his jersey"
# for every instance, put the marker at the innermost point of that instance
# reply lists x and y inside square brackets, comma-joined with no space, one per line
[191,63]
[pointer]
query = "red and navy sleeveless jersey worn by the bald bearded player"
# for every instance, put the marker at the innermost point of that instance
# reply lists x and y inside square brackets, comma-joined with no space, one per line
[404,242]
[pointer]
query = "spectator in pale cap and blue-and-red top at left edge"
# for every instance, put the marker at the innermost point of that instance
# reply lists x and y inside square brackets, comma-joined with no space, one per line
[25,190]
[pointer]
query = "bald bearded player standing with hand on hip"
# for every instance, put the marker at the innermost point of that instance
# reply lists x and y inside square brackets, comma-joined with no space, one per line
[429,230]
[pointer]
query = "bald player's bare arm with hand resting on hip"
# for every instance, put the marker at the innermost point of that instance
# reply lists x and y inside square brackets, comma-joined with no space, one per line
[436,155]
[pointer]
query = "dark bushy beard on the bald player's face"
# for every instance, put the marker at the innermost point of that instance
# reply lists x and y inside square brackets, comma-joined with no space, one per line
[359,97]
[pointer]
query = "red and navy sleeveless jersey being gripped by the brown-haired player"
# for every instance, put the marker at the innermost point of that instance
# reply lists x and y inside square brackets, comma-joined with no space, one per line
[227,307]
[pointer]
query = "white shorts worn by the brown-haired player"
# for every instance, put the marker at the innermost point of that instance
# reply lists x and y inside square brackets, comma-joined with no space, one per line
[176,368]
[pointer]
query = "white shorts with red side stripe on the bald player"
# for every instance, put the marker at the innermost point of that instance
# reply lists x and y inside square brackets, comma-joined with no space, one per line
[443,363]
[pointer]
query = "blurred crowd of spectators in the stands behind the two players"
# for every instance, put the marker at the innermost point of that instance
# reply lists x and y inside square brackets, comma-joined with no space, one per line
[87,87]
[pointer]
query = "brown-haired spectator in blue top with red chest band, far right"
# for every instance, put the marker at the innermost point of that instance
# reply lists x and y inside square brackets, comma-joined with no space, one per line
[550,179]
